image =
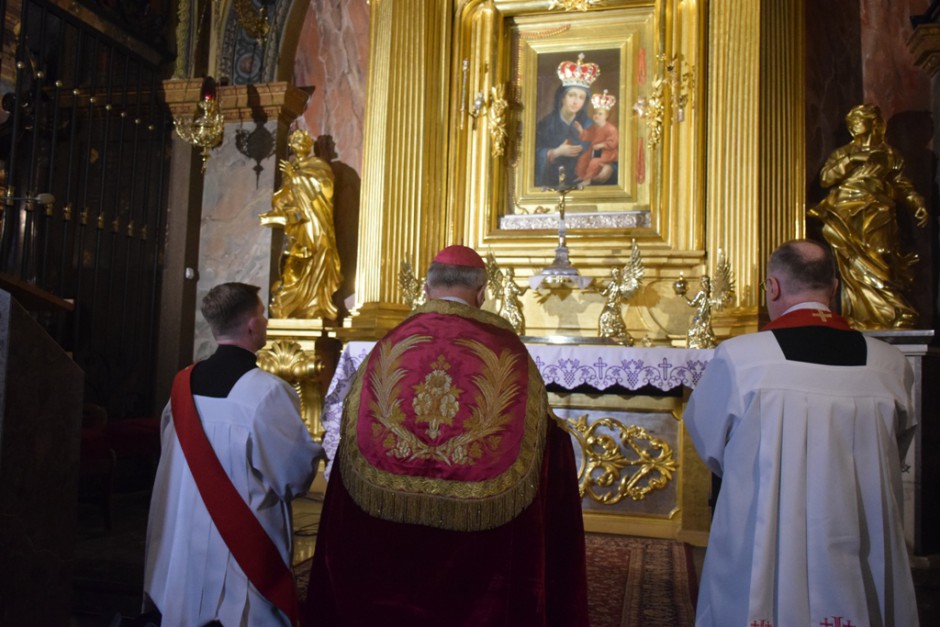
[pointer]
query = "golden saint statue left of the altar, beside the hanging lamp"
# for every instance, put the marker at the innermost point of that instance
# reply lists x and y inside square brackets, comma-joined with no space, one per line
[303,207]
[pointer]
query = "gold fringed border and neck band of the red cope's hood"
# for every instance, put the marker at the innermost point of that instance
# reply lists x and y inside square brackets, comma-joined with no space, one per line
[445,504]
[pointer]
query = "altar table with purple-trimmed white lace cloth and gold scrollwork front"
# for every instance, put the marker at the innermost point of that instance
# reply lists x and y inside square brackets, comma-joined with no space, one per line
[638,471]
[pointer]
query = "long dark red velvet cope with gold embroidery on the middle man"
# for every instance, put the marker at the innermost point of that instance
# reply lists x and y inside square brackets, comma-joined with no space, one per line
[385,569]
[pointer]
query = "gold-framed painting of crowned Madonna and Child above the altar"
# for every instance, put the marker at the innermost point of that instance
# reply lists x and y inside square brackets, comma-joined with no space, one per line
[597,60]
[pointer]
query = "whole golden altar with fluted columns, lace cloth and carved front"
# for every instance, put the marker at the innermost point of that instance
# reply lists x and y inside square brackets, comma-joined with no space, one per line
[450,156]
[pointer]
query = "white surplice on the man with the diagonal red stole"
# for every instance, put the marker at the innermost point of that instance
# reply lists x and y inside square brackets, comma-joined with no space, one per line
[264,447]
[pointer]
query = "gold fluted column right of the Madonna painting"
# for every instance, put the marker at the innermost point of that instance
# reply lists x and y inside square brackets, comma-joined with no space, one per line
[756,140]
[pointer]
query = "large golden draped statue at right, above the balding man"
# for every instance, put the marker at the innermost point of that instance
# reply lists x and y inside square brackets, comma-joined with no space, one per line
[859,218]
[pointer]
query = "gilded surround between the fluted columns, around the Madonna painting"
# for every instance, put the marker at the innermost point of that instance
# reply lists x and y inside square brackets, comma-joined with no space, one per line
[495,45]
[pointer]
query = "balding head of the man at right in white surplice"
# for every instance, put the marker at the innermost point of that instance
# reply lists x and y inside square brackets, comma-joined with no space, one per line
[800,271]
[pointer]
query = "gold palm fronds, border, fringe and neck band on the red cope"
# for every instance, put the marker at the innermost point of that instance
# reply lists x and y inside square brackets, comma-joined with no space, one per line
[447,504]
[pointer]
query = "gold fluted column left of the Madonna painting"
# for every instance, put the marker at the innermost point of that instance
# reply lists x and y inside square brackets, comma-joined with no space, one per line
[404,177]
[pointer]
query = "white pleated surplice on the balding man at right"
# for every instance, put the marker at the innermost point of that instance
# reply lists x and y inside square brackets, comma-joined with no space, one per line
[807,528]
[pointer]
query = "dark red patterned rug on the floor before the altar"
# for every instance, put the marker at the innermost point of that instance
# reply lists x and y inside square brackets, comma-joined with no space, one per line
[632,582]
